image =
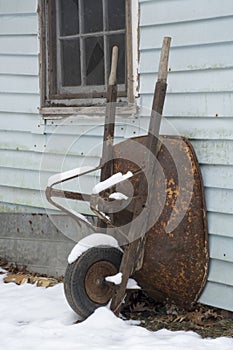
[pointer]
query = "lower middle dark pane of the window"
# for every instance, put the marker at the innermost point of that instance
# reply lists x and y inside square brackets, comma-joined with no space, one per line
[94,61]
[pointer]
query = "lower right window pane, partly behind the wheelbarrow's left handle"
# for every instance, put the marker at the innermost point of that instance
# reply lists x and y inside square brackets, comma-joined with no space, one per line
[118,40]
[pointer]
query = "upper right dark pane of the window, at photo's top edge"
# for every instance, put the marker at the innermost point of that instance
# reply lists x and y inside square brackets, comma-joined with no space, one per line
[116,14]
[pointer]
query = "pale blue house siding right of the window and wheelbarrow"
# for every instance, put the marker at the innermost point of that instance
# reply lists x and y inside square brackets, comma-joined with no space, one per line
[199,106]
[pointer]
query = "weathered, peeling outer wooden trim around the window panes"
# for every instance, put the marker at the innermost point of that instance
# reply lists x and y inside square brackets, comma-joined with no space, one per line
[67,102]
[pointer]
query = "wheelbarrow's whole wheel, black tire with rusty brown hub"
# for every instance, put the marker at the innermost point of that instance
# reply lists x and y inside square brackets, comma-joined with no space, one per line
[84,280]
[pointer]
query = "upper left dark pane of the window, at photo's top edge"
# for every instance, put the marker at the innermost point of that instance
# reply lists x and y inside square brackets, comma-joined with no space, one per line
[69,17]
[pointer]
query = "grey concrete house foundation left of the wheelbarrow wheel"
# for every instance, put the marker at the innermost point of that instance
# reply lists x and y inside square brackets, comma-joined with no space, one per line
[32,240]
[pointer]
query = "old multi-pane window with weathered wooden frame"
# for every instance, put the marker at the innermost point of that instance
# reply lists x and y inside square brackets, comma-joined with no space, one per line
[78,37]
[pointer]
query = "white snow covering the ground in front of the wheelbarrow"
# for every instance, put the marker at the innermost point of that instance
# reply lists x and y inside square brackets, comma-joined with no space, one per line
[34,318]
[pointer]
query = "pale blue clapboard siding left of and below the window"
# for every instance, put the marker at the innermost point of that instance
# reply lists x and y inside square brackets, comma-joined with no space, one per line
[32,149]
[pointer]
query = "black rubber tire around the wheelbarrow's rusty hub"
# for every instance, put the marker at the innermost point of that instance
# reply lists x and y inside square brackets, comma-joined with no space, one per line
[77,272]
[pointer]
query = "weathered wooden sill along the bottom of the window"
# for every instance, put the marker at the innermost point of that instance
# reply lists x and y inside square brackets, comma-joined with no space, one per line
[82,112]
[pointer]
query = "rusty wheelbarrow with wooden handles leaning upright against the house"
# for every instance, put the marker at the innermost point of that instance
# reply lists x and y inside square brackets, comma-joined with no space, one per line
[151,215]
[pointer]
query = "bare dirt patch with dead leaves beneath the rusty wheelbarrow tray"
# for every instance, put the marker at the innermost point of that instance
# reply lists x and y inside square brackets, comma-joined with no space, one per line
[204,320]
